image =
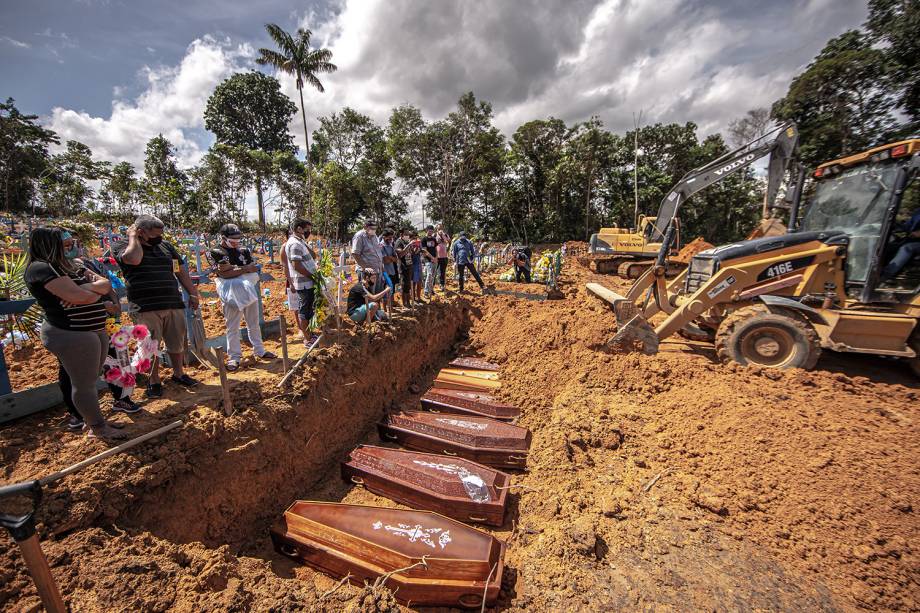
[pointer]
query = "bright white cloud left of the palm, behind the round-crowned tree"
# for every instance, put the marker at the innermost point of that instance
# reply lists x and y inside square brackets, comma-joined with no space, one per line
[171,104]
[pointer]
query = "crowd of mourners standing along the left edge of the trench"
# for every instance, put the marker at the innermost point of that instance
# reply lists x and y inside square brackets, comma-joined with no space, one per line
[78,297]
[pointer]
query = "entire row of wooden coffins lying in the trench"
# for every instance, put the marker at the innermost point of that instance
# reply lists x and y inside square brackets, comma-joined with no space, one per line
[449,473]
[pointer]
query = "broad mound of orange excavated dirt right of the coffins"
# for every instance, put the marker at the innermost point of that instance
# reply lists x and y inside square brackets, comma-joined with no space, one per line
[675,480]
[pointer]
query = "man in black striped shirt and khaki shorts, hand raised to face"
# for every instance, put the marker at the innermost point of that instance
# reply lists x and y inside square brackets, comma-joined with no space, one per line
[153,270]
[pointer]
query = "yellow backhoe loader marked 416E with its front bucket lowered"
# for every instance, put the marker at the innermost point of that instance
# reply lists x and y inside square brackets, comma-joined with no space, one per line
[777,301]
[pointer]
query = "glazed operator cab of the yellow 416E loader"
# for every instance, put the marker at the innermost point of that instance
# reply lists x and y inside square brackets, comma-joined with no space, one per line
[866,198]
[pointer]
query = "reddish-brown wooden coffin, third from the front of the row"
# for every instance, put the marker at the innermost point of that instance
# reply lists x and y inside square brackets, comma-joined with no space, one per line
[479,439]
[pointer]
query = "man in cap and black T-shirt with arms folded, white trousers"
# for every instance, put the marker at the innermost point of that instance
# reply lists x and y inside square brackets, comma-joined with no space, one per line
[235,266]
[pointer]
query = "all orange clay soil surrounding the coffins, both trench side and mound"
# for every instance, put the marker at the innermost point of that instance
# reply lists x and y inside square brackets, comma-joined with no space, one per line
[669,482]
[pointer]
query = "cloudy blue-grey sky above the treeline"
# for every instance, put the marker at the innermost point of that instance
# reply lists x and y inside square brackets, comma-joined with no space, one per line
[115,73]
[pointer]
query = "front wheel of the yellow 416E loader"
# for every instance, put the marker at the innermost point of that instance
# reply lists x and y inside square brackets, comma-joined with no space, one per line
[756,336]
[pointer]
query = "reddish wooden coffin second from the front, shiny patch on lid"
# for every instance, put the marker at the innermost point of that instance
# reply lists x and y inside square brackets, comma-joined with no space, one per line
[453,487]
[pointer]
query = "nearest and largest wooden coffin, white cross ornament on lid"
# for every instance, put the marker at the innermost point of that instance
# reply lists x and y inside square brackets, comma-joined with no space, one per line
[367,542]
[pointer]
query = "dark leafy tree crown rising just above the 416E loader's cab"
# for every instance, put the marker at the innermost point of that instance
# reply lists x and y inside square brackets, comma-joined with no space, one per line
[842,102]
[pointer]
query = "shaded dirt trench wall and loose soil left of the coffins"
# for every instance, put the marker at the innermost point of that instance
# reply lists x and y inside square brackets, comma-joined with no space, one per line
[187,506]
